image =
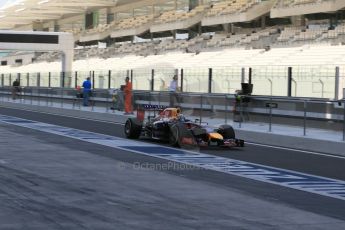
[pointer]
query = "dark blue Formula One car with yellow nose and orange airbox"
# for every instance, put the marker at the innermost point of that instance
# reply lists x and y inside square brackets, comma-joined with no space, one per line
[170,125]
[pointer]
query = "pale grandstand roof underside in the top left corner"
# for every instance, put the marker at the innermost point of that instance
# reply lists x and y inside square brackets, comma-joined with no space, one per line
[24,12]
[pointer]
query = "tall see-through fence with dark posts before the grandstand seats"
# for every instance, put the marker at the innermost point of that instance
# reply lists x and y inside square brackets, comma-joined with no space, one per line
[310,81]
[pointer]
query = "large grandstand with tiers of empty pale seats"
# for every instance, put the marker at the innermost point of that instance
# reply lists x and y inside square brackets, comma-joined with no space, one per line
[228,36]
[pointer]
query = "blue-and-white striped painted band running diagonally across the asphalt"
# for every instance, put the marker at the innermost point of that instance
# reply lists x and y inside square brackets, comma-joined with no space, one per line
[286,178]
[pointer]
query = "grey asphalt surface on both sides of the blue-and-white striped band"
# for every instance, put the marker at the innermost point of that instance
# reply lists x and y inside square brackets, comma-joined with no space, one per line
[70,189]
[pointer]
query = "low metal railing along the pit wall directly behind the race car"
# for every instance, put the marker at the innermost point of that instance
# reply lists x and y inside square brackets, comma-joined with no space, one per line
[302,112]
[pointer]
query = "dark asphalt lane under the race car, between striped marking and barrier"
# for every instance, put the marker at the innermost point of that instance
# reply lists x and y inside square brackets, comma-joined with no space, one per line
[320,165]
